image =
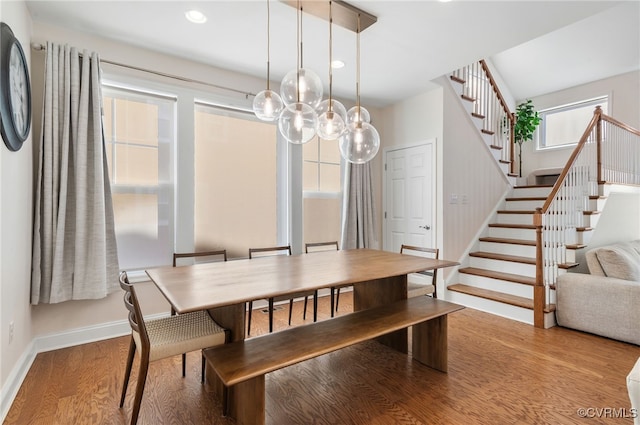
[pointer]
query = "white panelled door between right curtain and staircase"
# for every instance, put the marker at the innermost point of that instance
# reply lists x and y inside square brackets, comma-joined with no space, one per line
[409,201]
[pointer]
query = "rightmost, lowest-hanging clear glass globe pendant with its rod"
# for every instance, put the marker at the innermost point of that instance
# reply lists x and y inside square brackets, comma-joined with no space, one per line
[360,142]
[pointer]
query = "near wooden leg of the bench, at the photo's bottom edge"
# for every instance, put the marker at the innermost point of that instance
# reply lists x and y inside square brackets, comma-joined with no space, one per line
[246,402]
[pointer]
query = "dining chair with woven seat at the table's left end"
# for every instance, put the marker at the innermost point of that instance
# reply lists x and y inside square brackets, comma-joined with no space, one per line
[161,338]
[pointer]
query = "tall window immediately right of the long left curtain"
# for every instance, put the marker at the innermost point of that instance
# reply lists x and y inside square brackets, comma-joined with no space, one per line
[139,131]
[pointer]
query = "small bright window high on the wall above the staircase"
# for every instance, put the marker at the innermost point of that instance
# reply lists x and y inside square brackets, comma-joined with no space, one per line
[563,126]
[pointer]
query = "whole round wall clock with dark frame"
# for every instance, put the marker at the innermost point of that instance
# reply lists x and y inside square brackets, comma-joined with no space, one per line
[15,91]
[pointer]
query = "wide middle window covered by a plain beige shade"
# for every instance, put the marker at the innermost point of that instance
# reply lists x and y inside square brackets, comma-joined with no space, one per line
[235,181]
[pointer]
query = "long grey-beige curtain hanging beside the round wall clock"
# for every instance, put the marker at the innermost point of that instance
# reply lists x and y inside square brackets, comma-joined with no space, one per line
[74,247]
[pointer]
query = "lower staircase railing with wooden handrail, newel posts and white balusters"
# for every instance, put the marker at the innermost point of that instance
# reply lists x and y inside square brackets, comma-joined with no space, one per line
[576,183]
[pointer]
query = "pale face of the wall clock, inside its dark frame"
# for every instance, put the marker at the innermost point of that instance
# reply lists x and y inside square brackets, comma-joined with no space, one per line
[19,92]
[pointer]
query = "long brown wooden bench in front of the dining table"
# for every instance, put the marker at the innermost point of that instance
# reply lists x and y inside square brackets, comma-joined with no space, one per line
[241,366]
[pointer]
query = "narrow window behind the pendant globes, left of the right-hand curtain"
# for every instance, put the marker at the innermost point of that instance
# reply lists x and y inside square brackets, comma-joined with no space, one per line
[322,190]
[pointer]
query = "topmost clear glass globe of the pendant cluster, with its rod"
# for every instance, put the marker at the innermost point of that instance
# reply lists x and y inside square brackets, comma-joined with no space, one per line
[301,84]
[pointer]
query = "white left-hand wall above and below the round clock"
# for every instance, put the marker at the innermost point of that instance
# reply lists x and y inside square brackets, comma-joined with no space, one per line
[15,226]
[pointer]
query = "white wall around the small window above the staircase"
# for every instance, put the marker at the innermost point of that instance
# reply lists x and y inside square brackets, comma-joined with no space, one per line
[623,91]
